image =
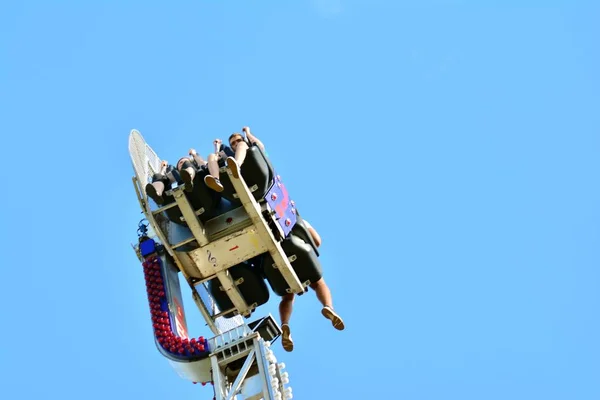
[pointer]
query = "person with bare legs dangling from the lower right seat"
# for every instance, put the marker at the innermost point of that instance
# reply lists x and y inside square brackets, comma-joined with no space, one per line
[323,294]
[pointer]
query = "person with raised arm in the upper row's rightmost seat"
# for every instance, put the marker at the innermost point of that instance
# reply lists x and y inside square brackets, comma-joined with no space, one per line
[234,161]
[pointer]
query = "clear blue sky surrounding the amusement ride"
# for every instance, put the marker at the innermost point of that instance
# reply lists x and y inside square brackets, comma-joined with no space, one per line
[448,154]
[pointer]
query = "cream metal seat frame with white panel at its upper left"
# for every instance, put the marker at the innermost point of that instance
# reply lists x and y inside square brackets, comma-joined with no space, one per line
[213,258]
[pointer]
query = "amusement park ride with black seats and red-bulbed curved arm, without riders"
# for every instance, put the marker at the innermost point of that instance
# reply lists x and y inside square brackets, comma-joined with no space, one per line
[227,246]
